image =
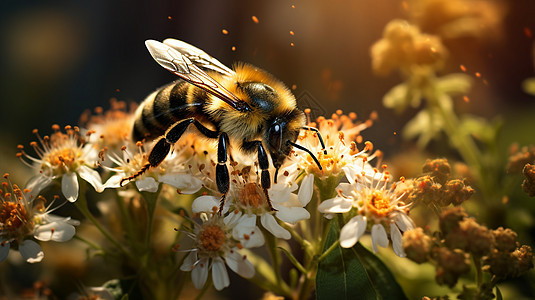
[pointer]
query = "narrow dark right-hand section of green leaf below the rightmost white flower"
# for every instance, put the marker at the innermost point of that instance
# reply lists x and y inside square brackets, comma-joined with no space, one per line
[384,282]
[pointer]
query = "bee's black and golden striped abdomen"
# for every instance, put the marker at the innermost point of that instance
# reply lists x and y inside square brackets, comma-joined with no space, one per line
[161,109]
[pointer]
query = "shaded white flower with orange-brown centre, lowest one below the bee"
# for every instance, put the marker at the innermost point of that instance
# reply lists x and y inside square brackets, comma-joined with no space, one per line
[214,246]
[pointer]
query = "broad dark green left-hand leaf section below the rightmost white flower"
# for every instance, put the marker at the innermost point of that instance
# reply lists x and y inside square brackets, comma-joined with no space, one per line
[341,275]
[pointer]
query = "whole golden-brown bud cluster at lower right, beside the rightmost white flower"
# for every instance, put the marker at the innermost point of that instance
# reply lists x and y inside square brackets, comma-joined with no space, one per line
[461,238]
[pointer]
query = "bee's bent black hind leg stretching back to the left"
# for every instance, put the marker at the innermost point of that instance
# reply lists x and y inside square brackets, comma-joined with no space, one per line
[162,147]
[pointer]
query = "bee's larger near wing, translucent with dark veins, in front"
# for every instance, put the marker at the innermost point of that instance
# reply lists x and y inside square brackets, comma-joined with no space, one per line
[181,65]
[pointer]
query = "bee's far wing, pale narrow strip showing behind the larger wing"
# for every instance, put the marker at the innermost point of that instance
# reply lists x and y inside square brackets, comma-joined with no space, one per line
[198,57]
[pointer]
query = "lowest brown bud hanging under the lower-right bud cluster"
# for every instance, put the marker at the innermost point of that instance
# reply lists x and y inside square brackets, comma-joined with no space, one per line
[451,265]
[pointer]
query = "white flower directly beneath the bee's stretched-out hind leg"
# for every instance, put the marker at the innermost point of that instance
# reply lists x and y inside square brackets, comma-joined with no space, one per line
[173,171]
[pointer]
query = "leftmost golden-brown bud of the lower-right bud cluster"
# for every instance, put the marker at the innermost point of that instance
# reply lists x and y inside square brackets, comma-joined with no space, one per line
[417,245]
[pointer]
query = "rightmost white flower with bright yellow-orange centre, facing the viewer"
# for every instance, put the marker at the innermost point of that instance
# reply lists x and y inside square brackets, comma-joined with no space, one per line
[372,203]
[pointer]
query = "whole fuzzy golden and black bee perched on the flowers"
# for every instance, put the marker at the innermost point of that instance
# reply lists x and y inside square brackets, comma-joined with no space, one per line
[244,106]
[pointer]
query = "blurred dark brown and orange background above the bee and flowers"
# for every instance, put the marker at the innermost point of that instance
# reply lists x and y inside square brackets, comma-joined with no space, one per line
[60,58]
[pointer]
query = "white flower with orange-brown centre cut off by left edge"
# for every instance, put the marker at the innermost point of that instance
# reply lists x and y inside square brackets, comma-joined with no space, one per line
[19,221]
